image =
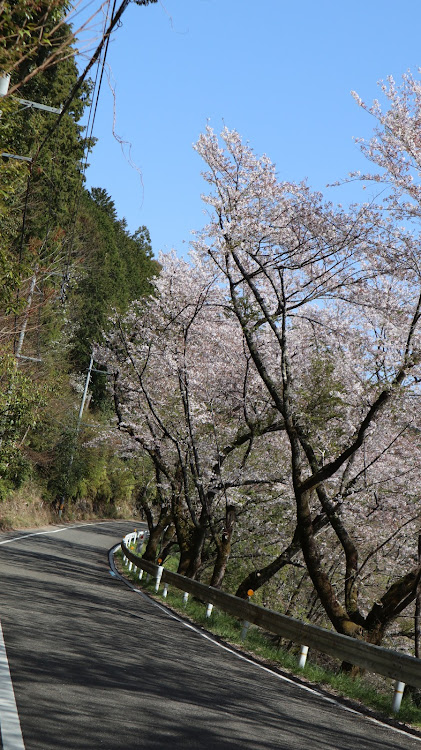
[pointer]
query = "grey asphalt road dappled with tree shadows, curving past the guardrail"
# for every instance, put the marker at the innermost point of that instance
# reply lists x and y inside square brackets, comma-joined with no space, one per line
[95,665]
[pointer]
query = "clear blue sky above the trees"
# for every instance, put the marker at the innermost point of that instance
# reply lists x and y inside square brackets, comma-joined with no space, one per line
[279,73]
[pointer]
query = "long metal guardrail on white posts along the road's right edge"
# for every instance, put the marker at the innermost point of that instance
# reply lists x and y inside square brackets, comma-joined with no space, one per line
[400,667]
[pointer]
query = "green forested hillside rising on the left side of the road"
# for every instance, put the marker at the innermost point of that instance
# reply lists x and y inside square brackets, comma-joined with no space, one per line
[66,262]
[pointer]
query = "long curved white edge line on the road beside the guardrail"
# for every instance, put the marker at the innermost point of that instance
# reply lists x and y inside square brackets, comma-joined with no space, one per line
[253,663]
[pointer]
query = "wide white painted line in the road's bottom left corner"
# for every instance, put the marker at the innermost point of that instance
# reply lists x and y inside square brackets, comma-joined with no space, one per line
[11,733]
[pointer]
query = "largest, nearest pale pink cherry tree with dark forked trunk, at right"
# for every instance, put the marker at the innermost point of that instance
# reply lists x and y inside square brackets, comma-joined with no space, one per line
[329,306]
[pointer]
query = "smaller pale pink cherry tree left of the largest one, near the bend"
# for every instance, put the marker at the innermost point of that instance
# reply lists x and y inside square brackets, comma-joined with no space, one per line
[187,395]
